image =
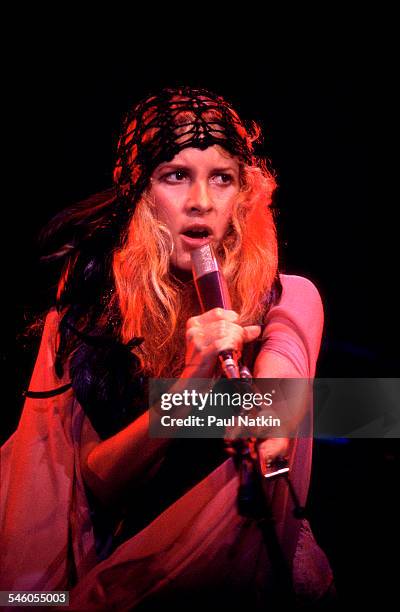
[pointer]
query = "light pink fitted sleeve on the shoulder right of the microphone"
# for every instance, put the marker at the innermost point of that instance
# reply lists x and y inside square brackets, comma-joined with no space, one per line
[294,326]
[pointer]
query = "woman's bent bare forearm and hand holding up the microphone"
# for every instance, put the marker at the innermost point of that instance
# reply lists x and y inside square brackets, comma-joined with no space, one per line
[128,458]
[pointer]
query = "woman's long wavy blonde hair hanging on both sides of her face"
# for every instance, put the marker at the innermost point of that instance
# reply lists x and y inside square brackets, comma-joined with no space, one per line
[155,305]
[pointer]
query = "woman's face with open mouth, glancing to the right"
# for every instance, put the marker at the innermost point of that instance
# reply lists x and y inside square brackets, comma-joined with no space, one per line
[194,194]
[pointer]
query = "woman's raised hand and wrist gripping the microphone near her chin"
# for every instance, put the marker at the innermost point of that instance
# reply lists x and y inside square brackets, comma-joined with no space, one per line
[210,333]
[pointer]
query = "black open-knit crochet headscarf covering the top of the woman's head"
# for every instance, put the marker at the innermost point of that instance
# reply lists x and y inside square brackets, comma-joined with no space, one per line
[162,125]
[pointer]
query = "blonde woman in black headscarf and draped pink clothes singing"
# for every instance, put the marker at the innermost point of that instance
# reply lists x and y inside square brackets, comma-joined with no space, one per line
[91,504]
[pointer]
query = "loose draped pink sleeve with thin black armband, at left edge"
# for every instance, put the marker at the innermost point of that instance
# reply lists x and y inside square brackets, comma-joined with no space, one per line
[44,514]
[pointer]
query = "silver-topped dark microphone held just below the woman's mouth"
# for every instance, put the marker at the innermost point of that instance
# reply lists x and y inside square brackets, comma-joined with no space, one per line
[213,292]
